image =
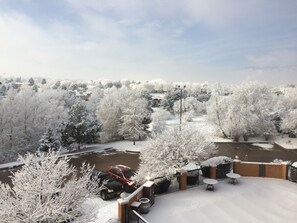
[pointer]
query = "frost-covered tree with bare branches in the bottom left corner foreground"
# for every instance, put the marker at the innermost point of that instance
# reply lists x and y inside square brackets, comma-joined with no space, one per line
[45,189]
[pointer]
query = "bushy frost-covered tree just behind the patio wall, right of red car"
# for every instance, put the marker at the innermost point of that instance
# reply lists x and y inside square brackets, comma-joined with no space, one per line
[172,150]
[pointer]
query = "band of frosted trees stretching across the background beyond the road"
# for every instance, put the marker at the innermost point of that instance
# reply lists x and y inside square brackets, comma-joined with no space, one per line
[43,115]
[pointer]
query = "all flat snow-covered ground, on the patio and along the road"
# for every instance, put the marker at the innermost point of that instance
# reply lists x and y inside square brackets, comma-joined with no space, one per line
[252,200]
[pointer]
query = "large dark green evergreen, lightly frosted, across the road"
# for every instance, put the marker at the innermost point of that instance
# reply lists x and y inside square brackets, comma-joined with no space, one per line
[81,126]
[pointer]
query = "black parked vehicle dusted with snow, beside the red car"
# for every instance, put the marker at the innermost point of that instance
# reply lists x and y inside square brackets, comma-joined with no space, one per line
[108,187]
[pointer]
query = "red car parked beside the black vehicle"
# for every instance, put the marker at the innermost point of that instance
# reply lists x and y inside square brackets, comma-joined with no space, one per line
[123,174]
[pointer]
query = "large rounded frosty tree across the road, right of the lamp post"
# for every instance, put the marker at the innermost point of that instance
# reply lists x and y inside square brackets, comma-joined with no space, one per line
[246,112]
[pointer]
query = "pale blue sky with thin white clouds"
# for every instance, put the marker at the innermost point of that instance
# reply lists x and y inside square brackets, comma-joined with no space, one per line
[230,41]
